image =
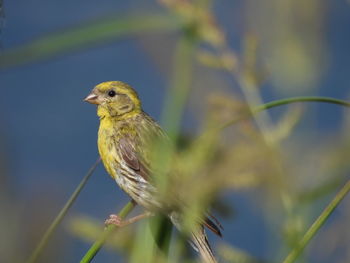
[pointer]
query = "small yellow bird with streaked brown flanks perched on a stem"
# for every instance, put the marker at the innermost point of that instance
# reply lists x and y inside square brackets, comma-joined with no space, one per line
[125,137]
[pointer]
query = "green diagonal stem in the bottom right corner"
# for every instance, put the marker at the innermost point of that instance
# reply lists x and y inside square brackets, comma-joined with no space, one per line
[298,249]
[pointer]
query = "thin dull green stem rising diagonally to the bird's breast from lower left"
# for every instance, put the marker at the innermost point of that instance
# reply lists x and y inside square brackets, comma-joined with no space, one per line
[44,240]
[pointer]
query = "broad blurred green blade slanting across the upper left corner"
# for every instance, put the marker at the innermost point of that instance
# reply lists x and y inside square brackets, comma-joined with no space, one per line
[87,35]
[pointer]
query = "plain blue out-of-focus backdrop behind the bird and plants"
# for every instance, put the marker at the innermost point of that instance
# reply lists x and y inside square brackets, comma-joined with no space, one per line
[48,134]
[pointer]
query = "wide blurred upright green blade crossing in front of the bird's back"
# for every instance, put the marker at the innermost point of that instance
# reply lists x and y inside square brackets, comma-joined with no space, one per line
[160,234]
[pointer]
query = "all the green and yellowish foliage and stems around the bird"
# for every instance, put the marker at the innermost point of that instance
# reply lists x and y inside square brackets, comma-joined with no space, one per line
[231,153]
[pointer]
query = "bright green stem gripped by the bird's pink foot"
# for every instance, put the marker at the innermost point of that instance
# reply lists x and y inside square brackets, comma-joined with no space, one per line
[90,254]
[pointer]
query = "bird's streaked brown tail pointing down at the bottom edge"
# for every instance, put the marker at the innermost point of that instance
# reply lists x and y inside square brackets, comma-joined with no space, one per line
[201,244]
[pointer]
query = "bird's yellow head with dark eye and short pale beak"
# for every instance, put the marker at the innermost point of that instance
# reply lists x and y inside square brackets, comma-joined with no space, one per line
[114,98]
